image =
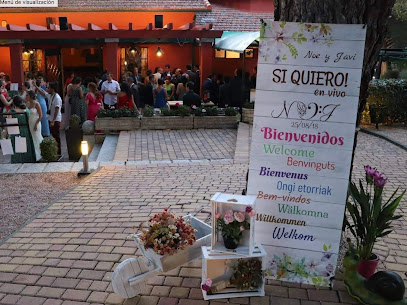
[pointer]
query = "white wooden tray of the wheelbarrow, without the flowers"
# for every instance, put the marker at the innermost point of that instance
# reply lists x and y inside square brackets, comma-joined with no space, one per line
[190,253]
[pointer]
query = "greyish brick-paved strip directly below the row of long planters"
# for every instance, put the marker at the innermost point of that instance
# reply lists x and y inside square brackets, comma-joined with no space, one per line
[156,145]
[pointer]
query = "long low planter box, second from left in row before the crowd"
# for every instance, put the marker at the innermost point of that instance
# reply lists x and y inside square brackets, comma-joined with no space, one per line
[167,122]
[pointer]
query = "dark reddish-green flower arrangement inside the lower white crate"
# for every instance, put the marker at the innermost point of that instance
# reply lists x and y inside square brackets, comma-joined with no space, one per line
[248,274]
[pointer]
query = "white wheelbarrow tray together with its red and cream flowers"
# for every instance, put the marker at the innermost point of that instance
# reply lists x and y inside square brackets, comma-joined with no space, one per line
[171,241]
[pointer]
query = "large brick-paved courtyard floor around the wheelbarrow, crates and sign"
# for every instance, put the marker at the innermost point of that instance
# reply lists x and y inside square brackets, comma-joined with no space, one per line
[68,253]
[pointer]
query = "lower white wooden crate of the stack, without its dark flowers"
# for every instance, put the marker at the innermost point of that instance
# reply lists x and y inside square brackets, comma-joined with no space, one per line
[218,267]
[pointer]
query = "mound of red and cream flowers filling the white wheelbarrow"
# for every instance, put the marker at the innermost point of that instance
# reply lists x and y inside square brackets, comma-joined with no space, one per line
[167,234]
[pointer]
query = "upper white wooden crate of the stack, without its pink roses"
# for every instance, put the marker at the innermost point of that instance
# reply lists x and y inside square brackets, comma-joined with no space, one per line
[220,204]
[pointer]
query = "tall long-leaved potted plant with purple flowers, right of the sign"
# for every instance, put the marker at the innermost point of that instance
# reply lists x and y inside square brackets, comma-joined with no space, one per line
[371,217]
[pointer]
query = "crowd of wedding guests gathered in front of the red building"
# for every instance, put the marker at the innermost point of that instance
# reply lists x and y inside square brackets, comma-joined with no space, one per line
[44,105]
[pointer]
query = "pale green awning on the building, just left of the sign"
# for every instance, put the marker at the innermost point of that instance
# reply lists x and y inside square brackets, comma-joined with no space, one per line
[236,41]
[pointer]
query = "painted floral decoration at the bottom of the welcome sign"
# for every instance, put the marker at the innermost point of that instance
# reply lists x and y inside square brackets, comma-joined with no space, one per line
[314,272]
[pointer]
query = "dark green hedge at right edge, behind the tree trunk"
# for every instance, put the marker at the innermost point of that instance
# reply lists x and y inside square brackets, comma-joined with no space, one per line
[391,94]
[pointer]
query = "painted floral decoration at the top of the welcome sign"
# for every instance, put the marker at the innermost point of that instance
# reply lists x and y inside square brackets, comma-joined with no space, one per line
[285,42]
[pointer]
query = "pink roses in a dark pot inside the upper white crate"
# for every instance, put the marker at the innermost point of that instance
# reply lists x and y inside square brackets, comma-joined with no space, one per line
[232,224]
